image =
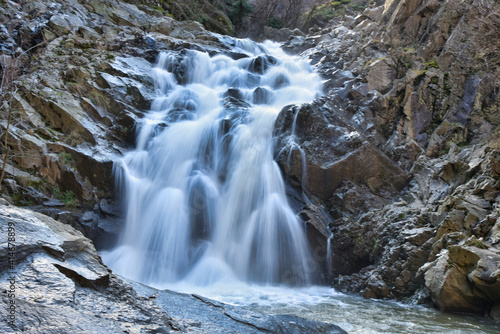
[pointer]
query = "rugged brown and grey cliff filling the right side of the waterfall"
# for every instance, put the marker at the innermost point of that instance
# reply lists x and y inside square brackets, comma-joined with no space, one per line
[400,159]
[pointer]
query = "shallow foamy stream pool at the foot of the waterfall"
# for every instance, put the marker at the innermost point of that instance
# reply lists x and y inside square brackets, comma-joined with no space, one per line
[354,314]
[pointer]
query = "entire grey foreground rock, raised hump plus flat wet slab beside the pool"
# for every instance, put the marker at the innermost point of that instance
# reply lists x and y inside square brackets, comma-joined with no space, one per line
[58,284]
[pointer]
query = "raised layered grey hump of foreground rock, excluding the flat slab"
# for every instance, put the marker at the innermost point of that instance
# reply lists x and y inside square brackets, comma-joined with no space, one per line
[63,279]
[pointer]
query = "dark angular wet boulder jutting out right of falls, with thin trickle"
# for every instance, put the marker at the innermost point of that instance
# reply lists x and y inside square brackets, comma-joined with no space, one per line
[347,153]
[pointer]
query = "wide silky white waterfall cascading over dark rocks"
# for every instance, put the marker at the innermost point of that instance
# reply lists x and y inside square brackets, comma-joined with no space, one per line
[204,200]
